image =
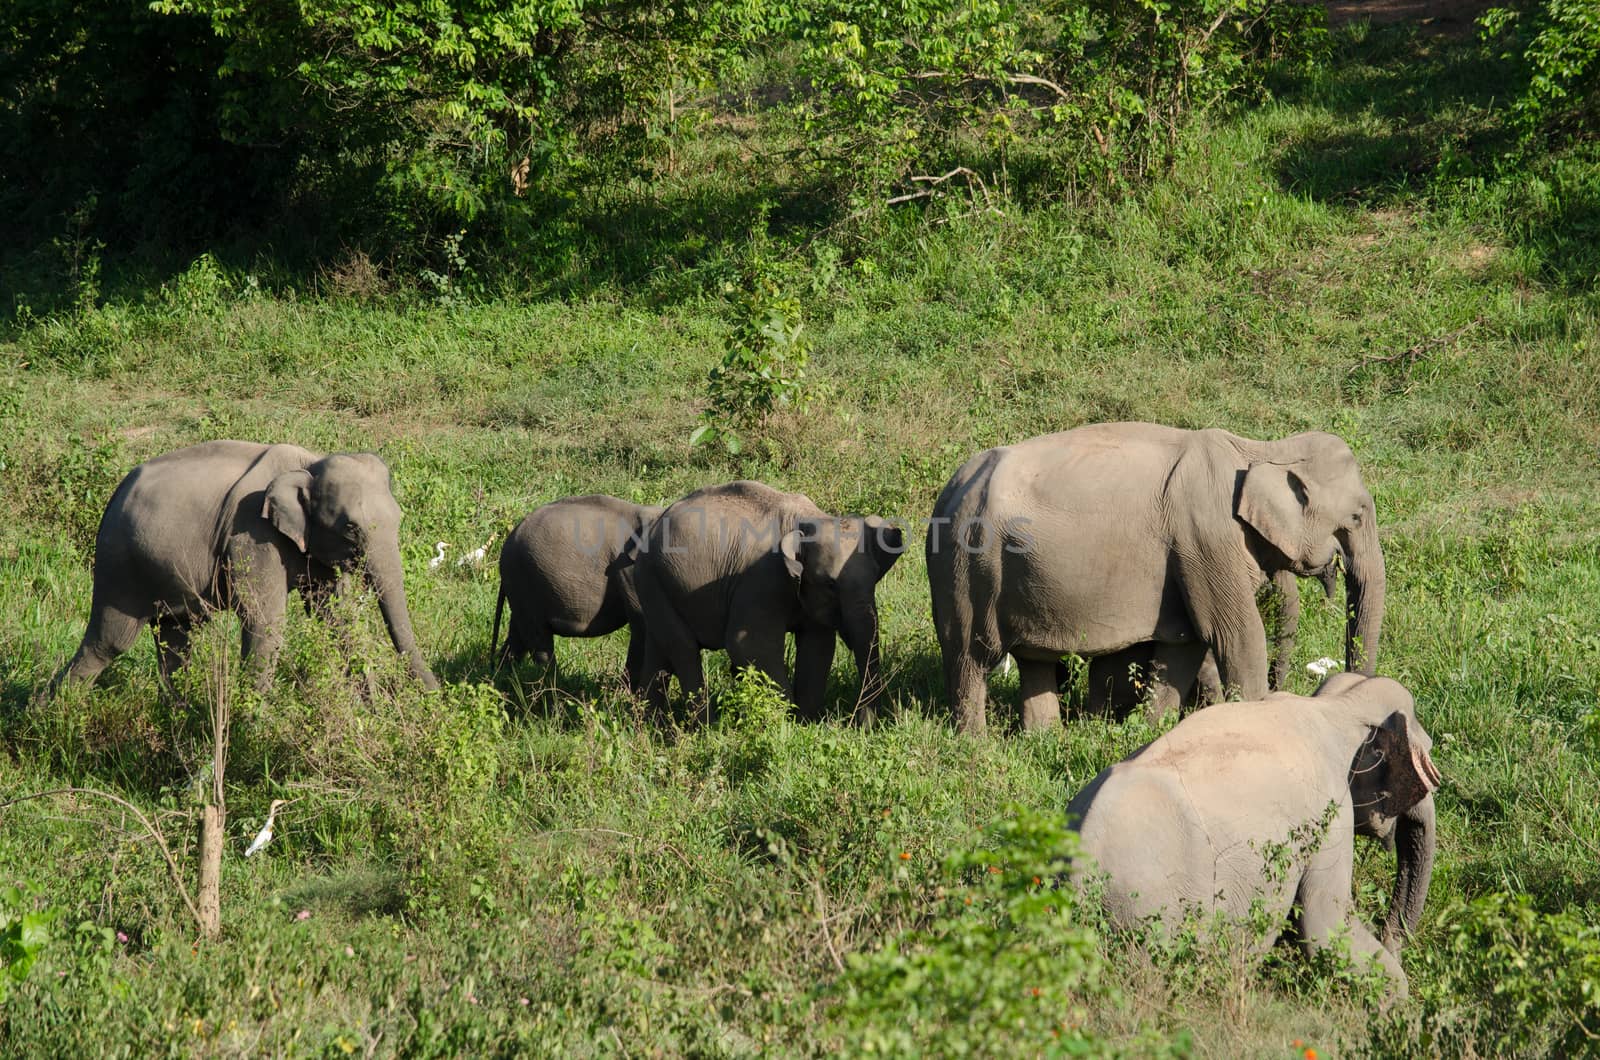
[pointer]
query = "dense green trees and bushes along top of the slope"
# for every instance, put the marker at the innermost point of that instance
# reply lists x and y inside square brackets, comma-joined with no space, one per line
[321,124]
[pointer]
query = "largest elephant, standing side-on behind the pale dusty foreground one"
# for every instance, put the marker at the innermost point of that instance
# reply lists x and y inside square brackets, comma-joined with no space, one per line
[1111,536]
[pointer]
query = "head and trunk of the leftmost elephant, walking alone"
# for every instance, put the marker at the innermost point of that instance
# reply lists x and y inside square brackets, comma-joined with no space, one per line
[342,513]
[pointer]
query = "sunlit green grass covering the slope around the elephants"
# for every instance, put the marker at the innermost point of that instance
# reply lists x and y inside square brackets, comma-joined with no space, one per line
[572,881]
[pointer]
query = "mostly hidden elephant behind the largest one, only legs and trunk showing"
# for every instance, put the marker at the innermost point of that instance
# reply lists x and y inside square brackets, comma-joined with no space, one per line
[1118,683]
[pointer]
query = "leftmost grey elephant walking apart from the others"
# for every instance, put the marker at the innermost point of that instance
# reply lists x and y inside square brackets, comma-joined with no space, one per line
[234,526]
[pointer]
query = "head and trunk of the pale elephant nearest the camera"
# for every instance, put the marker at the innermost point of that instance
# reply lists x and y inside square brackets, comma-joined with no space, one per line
[1393,781]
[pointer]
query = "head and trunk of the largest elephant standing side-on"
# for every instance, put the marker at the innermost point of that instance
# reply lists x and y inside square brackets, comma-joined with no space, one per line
[1308,502]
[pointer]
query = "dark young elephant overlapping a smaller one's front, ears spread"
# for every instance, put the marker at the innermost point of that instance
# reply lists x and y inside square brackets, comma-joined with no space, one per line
[740,566]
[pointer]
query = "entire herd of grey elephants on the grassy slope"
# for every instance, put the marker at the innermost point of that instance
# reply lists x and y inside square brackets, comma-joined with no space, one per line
[1127,544]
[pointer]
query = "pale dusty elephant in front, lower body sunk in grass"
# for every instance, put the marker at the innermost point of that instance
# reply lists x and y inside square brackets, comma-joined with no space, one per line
[1249,809]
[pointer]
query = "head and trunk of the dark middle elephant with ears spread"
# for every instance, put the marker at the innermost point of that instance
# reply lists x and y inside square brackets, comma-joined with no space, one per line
[836,566]
